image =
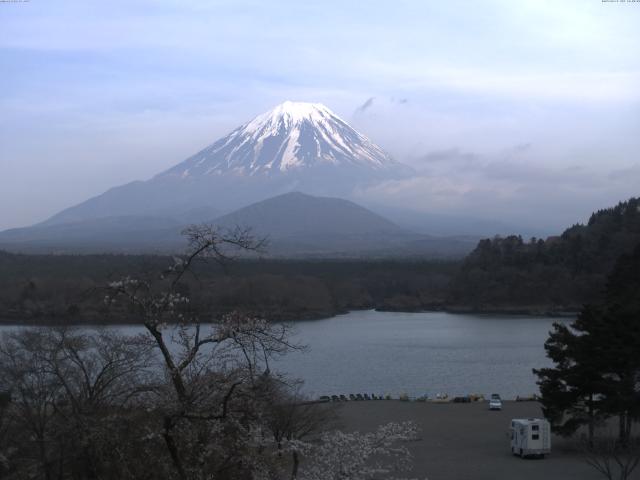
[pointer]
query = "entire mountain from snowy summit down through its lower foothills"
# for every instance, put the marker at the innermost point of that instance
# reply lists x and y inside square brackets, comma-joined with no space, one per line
[279,173]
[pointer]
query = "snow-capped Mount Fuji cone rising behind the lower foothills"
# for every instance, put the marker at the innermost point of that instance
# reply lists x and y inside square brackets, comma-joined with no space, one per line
[294,147]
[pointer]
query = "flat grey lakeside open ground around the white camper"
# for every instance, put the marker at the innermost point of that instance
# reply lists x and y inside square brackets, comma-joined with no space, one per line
[467,441]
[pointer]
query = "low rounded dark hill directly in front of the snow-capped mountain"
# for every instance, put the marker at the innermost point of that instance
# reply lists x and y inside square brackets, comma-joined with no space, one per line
[301,225]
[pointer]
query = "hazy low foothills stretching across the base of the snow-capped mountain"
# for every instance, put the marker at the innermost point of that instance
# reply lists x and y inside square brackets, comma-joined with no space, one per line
[297,225]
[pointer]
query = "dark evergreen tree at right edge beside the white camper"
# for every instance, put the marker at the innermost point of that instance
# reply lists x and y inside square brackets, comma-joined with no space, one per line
[597,359]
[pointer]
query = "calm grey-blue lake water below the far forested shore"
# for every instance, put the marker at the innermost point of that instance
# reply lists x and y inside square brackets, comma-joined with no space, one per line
[416,353]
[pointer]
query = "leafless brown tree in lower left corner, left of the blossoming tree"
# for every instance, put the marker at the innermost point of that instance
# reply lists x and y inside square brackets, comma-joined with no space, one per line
[65,387]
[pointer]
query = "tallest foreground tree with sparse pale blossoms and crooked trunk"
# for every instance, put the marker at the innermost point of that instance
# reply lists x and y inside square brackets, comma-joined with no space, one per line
[214,392]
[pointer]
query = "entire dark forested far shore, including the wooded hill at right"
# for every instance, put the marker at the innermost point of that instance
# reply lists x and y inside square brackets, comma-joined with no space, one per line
[508,274]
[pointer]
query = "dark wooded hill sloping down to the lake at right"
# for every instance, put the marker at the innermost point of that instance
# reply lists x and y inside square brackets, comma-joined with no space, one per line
[557,273]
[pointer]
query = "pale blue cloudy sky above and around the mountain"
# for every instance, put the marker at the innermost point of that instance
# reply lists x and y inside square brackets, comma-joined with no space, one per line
[524,111]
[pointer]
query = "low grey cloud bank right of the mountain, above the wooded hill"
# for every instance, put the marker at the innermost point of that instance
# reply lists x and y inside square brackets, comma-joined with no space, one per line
[514,189]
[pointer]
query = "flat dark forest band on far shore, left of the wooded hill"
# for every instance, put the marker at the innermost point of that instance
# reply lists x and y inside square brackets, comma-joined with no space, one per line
[66,288]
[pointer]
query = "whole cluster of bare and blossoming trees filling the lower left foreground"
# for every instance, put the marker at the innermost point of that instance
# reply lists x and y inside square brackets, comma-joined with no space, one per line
[192,398]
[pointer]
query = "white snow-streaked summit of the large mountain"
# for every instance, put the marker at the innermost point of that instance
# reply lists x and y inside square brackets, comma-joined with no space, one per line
[291,137]
